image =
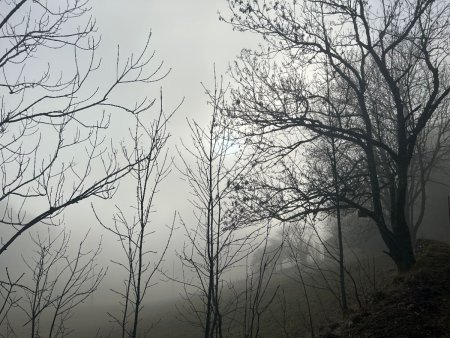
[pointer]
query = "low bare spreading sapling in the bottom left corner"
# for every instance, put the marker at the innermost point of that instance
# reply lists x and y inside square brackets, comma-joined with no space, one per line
[59,281]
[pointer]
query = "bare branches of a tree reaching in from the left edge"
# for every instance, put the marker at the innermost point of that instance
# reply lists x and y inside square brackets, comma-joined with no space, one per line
[51,109]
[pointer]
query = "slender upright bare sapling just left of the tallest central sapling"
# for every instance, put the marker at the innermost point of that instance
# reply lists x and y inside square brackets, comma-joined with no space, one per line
[149,144]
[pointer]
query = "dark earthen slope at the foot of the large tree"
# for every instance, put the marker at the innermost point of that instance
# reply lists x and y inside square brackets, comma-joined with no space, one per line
[416,304]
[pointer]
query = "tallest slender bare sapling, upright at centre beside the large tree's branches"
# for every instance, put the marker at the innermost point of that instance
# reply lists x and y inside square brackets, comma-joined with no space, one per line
[214,246]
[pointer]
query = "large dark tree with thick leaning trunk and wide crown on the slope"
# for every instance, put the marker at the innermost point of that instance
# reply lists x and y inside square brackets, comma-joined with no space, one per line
[379,69]
